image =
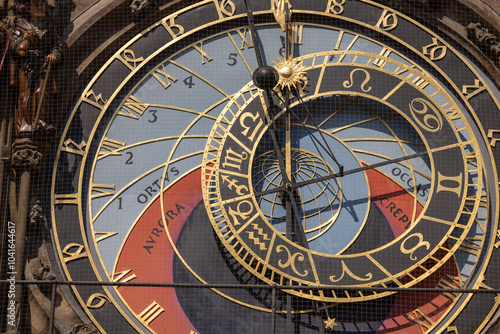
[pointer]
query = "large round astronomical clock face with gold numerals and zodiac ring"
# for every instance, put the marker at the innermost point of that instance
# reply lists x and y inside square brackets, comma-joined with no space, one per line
[370,167]
